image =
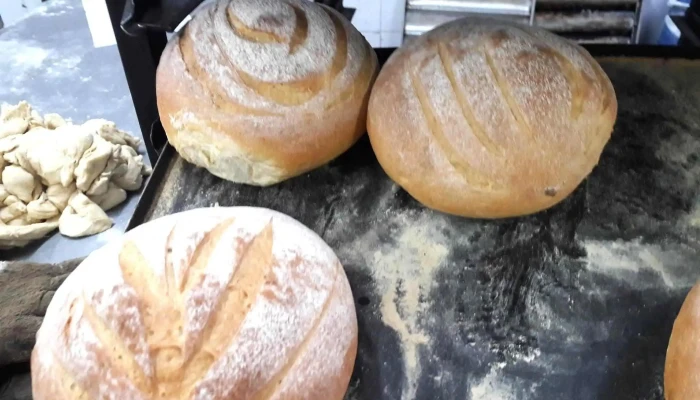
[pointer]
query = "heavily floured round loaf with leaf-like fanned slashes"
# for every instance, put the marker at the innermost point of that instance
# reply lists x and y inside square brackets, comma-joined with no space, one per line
[220,303]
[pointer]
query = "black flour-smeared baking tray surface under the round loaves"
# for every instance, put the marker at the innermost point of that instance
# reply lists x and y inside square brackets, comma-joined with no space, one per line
[573,303]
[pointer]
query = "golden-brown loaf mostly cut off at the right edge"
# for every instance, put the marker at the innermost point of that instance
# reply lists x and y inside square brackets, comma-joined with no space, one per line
[683,355]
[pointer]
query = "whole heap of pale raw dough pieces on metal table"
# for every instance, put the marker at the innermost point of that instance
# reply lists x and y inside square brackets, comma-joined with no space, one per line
[54,174]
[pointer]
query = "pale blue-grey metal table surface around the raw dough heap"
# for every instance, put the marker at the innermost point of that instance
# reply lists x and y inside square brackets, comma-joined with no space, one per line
[48,59]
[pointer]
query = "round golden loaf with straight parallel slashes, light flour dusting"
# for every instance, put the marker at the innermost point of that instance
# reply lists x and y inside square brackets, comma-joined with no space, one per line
[484,119]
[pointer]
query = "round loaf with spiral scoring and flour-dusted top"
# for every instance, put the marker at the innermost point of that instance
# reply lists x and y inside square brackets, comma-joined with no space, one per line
[258,91]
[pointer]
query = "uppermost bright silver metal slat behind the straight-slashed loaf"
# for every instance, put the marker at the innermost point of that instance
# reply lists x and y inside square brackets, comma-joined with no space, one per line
[512,7]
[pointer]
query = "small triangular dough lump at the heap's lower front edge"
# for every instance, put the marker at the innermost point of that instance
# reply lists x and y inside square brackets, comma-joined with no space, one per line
[82,217]
